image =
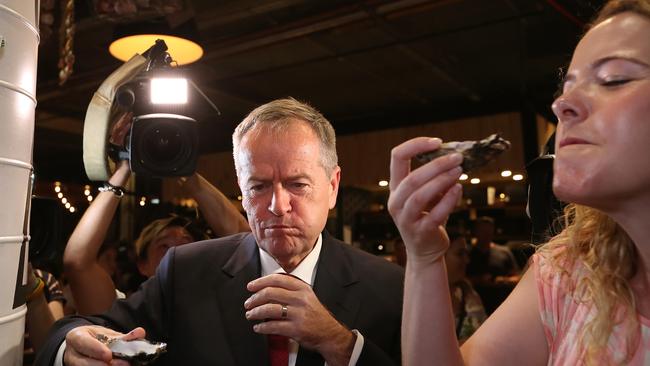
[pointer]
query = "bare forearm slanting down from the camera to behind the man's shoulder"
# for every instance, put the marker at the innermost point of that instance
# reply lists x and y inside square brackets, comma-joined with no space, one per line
[222,216]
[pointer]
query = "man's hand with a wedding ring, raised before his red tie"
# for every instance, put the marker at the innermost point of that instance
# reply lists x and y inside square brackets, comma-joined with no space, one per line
[306,321]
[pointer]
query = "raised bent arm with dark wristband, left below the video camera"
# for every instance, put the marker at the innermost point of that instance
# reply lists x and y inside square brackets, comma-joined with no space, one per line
[92,287]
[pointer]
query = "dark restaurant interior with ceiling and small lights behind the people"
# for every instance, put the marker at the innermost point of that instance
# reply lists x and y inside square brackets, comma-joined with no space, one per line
[380,71]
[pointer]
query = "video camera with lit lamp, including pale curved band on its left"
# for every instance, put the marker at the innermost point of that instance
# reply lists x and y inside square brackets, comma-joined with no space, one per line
[161,139]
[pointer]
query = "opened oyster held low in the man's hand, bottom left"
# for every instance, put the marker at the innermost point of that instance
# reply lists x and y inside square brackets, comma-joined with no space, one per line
[138,352]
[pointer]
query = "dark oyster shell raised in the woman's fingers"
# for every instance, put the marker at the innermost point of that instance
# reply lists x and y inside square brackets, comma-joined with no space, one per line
[475,153]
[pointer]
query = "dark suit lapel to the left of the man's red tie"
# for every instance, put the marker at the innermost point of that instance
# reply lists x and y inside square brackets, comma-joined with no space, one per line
[247,347]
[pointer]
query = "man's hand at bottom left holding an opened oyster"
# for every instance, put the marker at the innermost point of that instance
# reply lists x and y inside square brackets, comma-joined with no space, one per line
[83,348]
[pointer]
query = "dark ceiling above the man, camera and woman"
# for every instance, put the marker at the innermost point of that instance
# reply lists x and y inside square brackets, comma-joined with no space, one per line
[367,65]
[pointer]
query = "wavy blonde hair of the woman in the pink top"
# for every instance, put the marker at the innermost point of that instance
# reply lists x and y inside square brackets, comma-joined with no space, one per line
[598,244]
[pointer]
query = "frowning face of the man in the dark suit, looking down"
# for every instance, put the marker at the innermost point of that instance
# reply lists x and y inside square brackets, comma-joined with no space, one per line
[287,193]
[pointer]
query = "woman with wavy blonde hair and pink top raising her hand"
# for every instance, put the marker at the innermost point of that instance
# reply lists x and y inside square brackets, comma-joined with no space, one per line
[583,300]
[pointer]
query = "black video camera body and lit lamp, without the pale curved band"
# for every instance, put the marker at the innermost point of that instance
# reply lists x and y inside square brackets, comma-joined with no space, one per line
[163,140]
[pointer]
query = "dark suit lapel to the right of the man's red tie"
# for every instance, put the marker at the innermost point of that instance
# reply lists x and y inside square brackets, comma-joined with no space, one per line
[334,287]
